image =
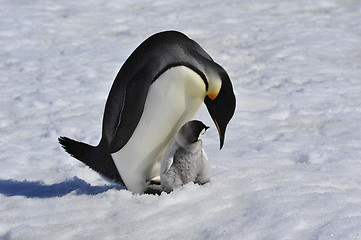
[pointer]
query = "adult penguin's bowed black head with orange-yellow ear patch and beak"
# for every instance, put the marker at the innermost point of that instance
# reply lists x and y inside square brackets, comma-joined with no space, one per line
[220,99]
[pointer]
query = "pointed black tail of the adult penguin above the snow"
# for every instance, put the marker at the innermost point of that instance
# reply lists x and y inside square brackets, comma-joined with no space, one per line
[94,157]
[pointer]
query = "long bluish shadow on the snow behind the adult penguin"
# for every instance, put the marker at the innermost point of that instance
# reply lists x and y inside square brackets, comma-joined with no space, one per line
[37,189]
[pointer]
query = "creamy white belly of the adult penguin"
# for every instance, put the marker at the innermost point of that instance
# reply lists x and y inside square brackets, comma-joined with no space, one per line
[172,100]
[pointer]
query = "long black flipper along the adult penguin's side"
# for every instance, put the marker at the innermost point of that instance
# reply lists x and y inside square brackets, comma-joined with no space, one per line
[126,100]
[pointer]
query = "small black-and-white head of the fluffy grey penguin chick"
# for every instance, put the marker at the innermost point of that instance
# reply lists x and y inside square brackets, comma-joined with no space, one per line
[191,132]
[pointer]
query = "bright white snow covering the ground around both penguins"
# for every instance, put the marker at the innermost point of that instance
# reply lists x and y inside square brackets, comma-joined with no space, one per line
[290,167]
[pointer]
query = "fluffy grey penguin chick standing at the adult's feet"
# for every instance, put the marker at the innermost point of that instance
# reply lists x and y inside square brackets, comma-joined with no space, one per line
[185,160]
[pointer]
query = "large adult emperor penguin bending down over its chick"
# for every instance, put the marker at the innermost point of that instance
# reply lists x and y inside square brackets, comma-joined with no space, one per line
[160,87]
